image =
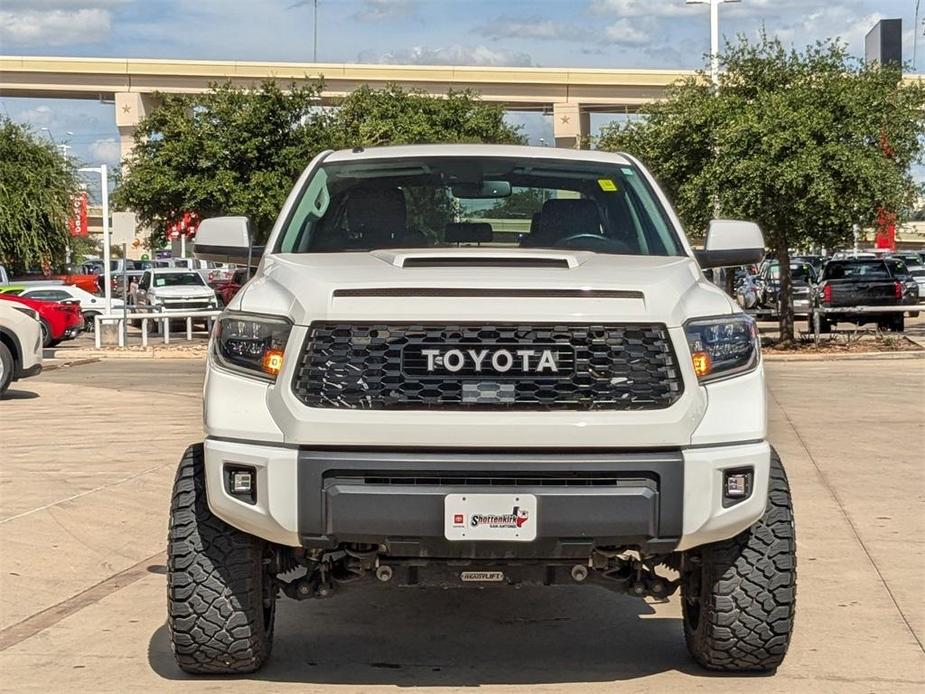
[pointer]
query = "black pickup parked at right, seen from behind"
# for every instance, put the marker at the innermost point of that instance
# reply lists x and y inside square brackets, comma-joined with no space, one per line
[862,282]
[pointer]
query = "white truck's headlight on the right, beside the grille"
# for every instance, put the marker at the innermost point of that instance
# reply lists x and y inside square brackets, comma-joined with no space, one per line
[723,347]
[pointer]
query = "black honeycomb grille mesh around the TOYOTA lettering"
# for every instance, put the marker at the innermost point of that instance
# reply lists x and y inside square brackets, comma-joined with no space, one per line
[609,367]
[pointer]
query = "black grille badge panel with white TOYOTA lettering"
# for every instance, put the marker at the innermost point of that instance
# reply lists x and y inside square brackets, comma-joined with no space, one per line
[476,361]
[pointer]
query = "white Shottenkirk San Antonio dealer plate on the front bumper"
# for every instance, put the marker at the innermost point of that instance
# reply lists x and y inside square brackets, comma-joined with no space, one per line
[499,517]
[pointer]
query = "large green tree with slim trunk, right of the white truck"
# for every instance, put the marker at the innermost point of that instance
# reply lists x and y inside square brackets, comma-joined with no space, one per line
[806,143]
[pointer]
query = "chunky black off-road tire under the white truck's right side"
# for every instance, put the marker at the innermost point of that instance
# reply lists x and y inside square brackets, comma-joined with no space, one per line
[738,599]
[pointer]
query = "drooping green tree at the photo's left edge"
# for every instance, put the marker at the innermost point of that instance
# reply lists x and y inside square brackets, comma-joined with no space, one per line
[37,186]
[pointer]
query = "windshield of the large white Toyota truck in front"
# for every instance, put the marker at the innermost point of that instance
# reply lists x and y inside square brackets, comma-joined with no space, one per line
[478,201]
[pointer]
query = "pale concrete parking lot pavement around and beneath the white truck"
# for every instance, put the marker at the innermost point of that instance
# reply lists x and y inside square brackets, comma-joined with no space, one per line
[89,456]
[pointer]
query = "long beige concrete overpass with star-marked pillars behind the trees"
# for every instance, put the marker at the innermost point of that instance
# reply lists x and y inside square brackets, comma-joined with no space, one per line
[569,94]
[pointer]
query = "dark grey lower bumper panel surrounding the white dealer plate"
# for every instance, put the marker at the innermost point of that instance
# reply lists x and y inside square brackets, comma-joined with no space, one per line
[396,499]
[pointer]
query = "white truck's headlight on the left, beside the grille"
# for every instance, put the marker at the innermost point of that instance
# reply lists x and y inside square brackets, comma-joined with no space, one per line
[251,344]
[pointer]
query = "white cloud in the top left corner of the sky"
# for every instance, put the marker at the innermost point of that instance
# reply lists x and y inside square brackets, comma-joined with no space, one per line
[57,23]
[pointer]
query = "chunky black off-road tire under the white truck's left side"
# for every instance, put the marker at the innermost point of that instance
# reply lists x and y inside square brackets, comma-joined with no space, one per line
[221,600]
